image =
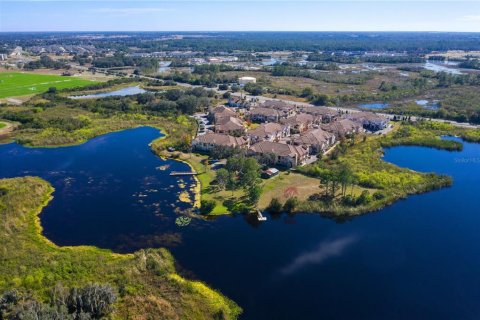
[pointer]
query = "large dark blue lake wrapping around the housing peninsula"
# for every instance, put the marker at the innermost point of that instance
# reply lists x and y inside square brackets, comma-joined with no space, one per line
[416,259]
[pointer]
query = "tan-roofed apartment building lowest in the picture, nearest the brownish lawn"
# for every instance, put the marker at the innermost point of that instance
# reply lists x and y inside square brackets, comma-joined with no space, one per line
[285,155]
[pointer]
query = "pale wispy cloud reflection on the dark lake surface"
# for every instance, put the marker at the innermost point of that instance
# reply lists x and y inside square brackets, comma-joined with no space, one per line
[319,255]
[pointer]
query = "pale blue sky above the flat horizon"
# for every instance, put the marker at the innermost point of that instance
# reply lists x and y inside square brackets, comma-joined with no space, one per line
[234,15]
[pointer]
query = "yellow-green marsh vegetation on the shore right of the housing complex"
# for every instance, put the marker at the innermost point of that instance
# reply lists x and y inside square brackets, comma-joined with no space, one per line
[385,181]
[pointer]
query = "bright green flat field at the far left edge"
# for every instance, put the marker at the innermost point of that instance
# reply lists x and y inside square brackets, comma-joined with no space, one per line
[20,84]
